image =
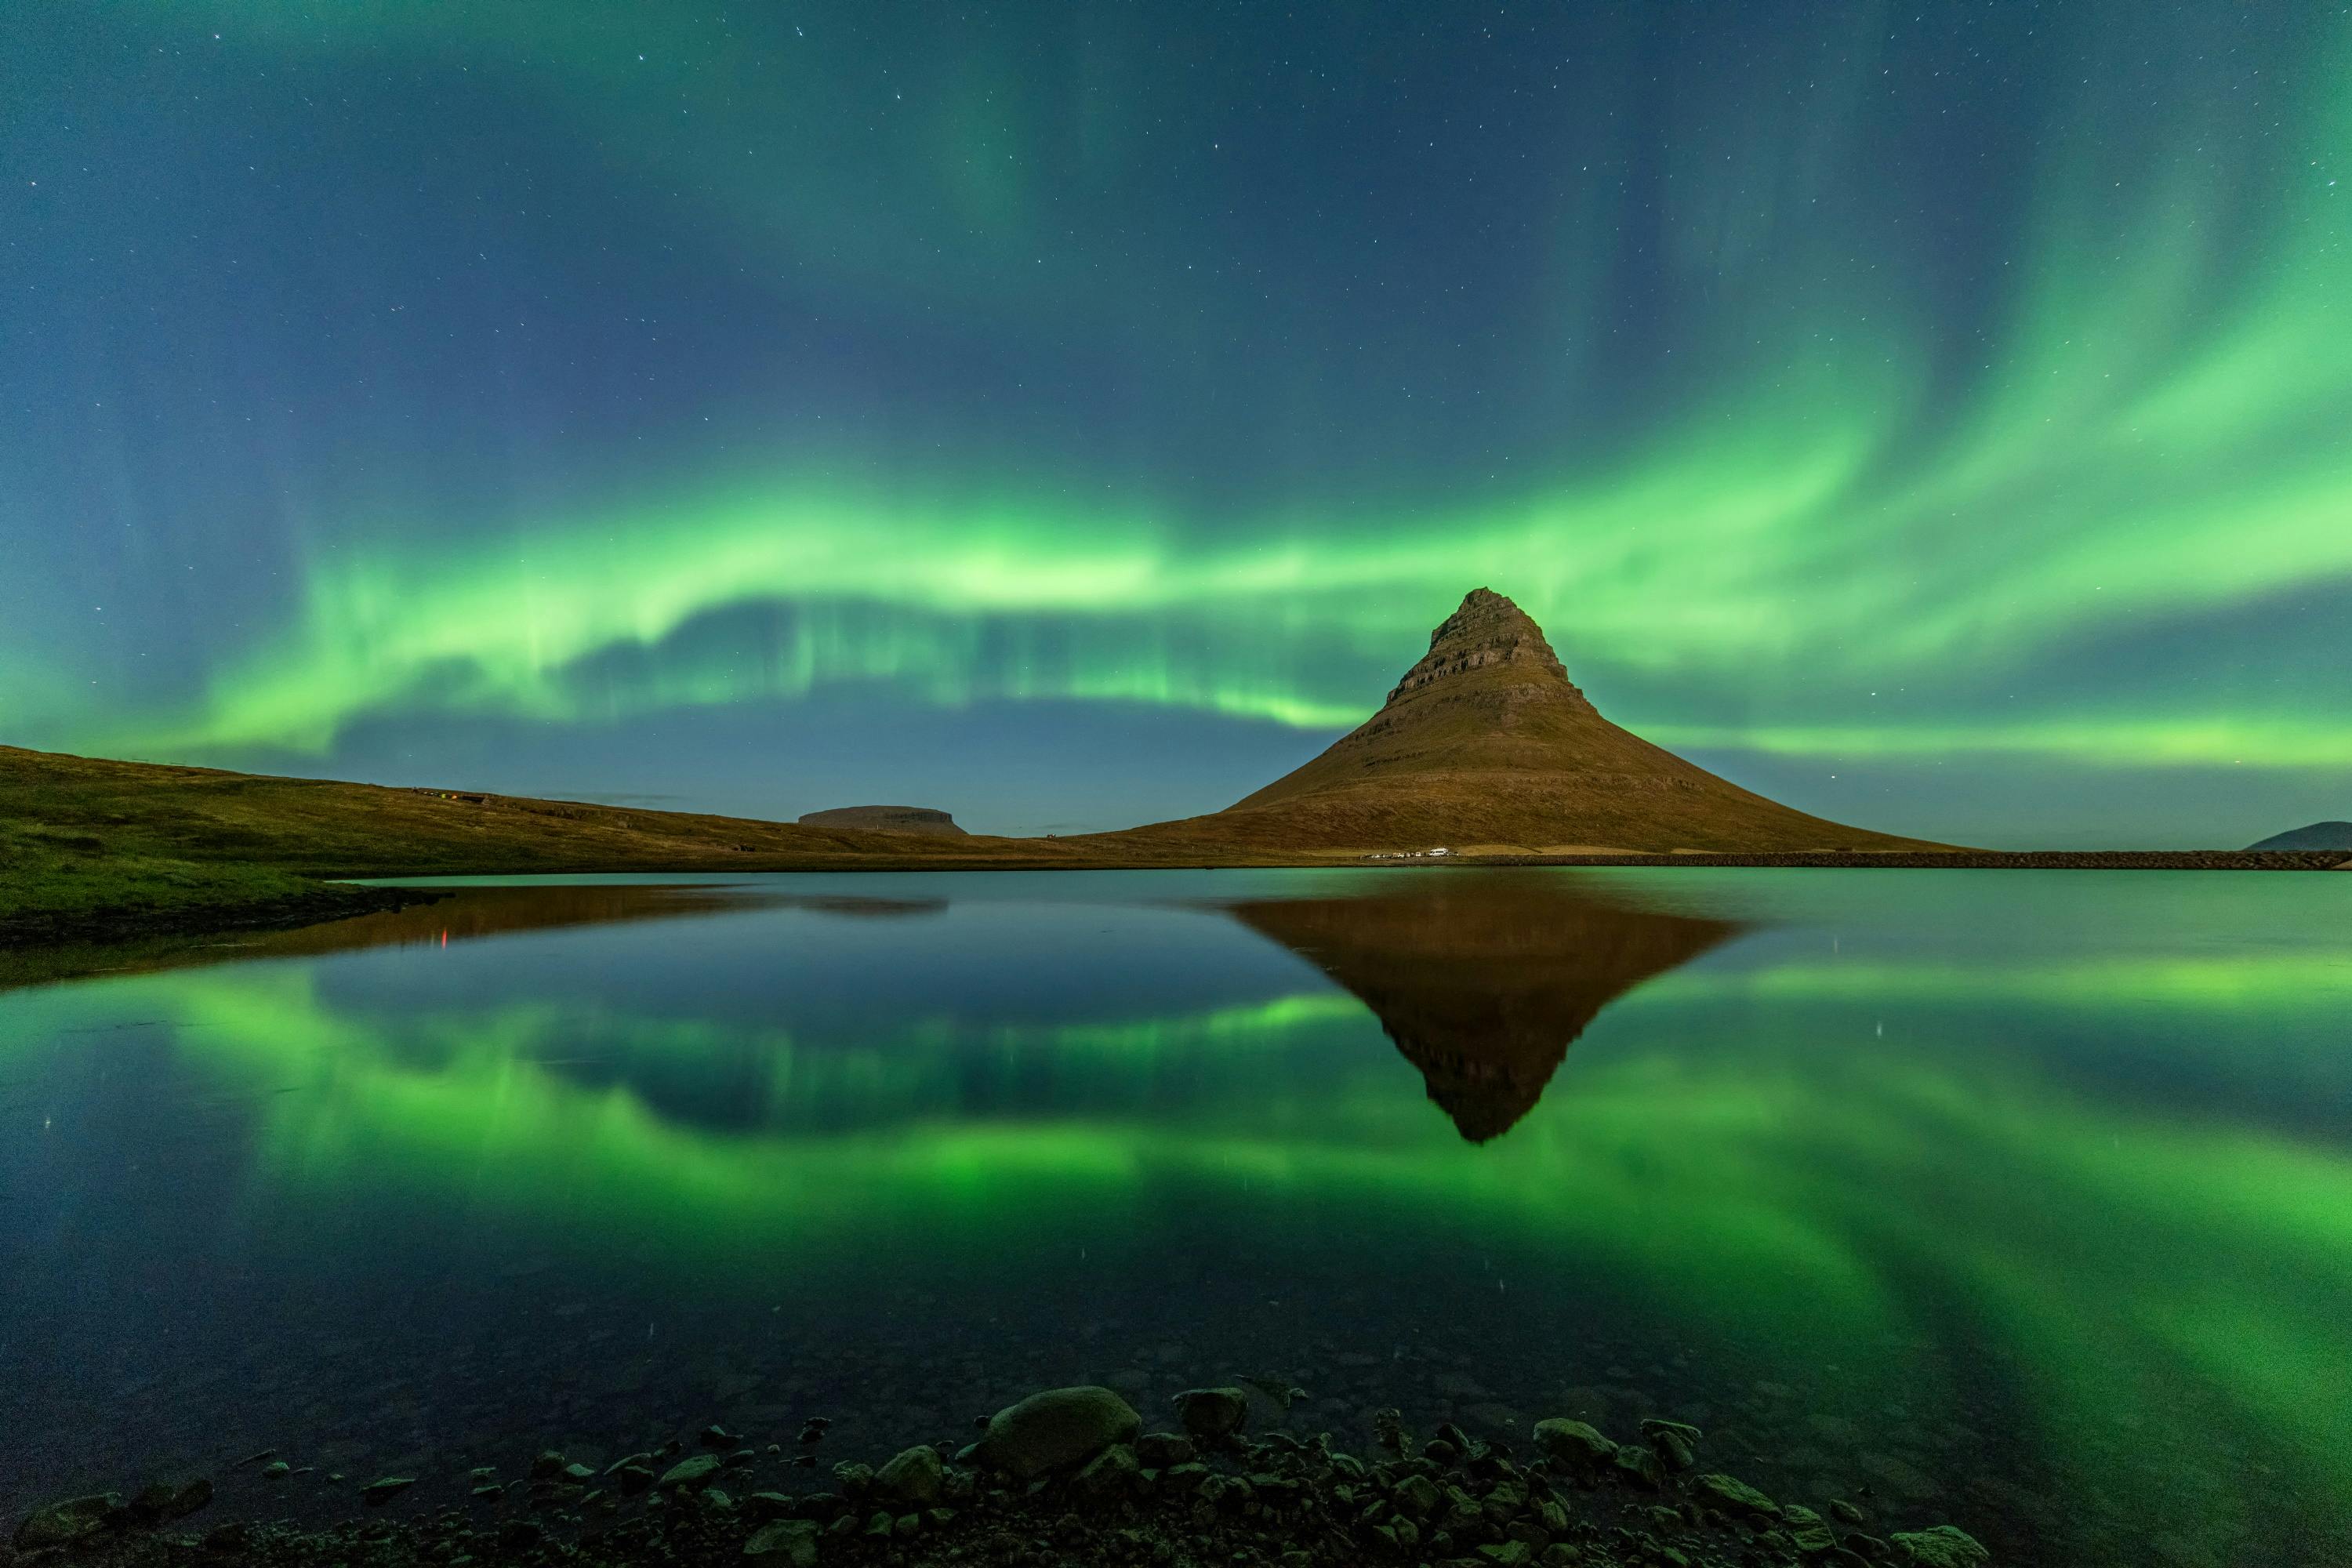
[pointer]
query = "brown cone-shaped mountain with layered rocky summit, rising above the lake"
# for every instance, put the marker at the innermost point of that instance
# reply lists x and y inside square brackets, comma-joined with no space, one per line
[1485,744]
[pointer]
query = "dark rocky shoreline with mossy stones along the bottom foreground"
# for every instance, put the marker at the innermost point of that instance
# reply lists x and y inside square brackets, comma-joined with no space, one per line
[1060,1477]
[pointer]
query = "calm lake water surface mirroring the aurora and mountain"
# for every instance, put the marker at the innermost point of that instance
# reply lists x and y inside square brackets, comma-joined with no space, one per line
[2019,1200]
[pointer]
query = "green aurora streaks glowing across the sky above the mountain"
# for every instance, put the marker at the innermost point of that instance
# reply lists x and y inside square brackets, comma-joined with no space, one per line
[2151,431]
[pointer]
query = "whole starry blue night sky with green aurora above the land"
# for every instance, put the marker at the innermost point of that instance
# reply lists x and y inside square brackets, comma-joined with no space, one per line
[1937,417]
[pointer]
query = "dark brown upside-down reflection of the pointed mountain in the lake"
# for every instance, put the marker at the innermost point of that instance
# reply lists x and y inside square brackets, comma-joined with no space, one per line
[1485,984]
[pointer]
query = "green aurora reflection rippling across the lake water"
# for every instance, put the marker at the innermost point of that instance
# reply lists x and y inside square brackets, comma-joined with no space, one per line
[2076,1155]
